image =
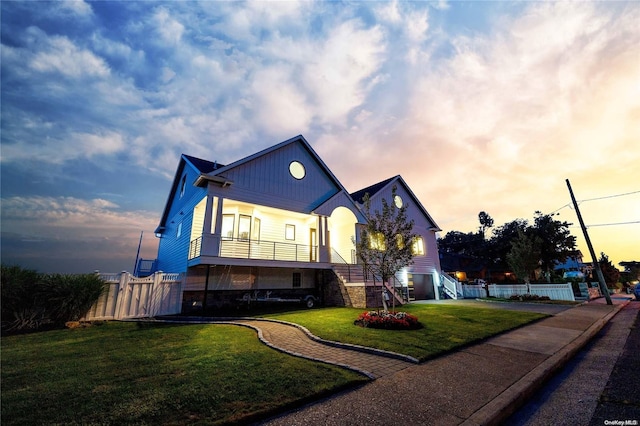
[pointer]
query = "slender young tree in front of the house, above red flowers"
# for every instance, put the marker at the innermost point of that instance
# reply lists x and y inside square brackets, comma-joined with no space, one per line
[386,241]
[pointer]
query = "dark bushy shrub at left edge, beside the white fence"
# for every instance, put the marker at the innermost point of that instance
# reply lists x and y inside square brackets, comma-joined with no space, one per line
[32,301]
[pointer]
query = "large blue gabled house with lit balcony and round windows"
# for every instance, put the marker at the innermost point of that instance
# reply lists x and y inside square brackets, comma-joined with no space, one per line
[278,225]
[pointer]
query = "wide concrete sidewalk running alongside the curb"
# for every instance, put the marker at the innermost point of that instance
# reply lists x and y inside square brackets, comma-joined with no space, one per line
[479,385]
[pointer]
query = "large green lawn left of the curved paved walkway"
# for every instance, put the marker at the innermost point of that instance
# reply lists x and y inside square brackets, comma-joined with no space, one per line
[124,373]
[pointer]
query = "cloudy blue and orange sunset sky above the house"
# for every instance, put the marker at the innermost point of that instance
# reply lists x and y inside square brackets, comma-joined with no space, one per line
[478,105]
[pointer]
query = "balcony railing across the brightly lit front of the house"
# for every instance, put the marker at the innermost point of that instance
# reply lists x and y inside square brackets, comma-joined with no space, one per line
[243,248]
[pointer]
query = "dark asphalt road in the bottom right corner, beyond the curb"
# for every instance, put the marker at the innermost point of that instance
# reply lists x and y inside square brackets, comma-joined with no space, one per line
[599,386]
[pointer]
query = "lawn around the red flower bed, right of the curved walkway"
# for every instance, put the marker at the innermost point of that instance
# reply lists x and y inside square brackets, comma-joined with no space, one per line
[446,327]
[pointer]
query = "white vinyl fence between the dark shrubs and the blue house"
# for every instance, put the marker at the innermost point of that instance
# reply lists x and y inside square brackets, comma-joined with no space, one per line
[129,297]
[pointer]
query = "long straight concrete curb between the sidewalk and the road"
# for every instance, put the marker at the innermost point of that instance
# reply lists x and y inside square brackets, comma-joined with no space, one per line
[511,399]
